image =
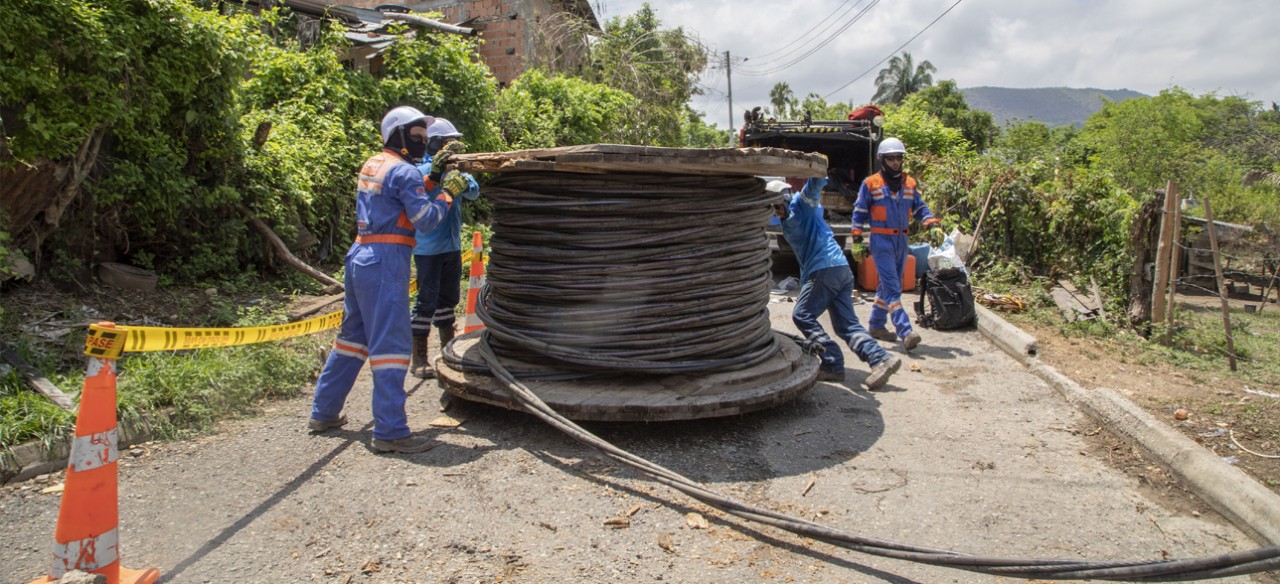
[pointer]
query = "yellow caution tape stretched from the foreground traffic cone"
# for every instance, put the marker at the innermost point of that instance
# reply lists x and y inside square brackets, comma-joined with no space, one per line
[108,341]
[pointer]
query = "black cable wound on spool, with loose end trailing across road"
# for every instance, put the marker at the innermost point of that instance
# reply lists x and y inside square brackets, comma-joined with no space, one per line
[661,275]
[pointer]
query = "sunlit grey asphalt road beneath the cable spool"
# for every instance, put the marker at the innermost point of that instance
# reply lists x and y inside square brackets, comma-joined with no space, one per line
[966,450]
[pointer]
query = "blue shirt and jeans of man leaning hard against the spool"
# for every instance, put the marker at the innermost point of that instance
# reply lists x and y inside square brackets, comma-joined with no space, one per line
[828,284]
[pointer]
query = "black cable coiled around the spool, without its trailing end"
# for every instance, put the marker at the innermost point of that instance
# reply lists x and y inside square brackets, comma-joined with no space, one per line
[629,273]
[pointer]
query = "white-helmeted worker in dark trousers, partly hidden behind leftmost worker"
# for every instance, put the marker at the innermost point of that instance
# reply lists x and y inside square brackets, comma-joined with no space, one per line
[438,253]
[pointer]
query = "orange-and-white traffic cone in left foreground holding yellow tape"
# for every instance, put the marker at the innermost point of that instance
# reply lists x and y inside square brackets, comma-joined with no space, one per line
[86,537]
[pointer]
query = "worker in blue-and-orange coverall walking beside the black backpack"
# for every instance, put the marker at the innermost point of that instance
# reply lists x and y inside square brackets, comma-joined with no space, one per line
[889,200]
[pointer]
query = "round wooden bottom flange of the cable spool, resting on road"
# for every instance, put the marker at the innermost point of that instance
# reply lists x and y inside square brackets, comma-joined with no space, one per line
[643,398]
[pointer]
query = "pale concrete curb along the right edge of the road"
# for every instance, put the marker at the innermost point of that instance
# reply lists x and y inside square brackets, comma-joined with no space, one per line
[1246,503]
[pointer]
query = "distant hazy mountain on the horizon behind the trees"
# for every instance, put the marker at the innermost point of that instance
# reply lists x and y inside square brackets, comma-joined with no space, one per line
[1049,106]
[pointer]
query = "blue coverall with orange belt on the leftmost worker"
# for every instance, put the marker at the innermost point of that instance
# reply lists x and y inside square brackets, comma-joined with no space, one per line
[391,203]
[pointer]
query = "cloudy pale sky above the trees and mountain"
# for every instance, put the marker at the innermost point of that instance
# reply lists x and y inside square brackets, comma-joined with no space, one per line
[1227,47]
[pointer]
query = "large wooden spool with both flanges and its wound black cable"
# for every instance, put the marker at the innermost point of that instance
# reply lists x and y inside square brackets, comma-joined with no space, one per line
[641,294]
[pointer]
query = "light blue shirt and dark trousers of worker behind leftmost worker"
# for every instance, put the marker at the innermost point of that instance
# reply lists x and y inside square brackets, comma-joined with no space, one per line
[438,257]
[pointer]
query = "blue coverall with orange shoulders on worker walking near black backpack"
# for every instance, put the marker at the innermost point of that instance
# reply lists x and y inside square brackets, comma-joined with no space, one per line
[889,215]
